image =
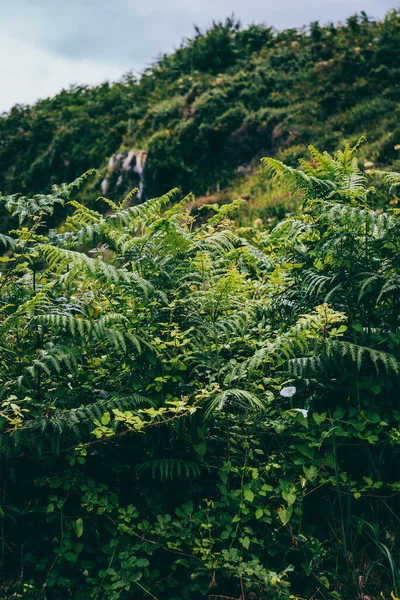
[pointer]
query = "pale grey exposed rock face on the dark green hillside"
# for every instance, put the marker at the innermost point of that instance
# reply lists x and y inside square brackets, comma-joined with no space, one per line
[125,171]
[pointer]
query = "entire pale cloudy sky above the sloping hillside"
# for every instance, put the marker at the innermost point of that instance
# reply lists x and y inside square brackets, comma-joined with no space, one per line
[48,45]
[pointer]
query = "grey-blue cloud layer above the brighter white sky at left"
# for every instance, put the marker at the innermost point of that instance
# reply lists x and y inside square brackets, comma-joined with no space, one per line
[120,31]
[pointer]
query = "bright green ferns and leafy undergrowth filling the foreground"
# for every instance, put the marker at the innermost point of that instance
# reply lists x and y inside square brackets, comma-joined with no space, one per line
[197,410]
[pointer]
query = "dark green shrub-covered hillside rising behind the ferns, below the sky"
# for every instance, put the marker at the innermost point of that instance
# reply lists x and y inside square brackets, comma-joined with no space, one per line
[226,97]
